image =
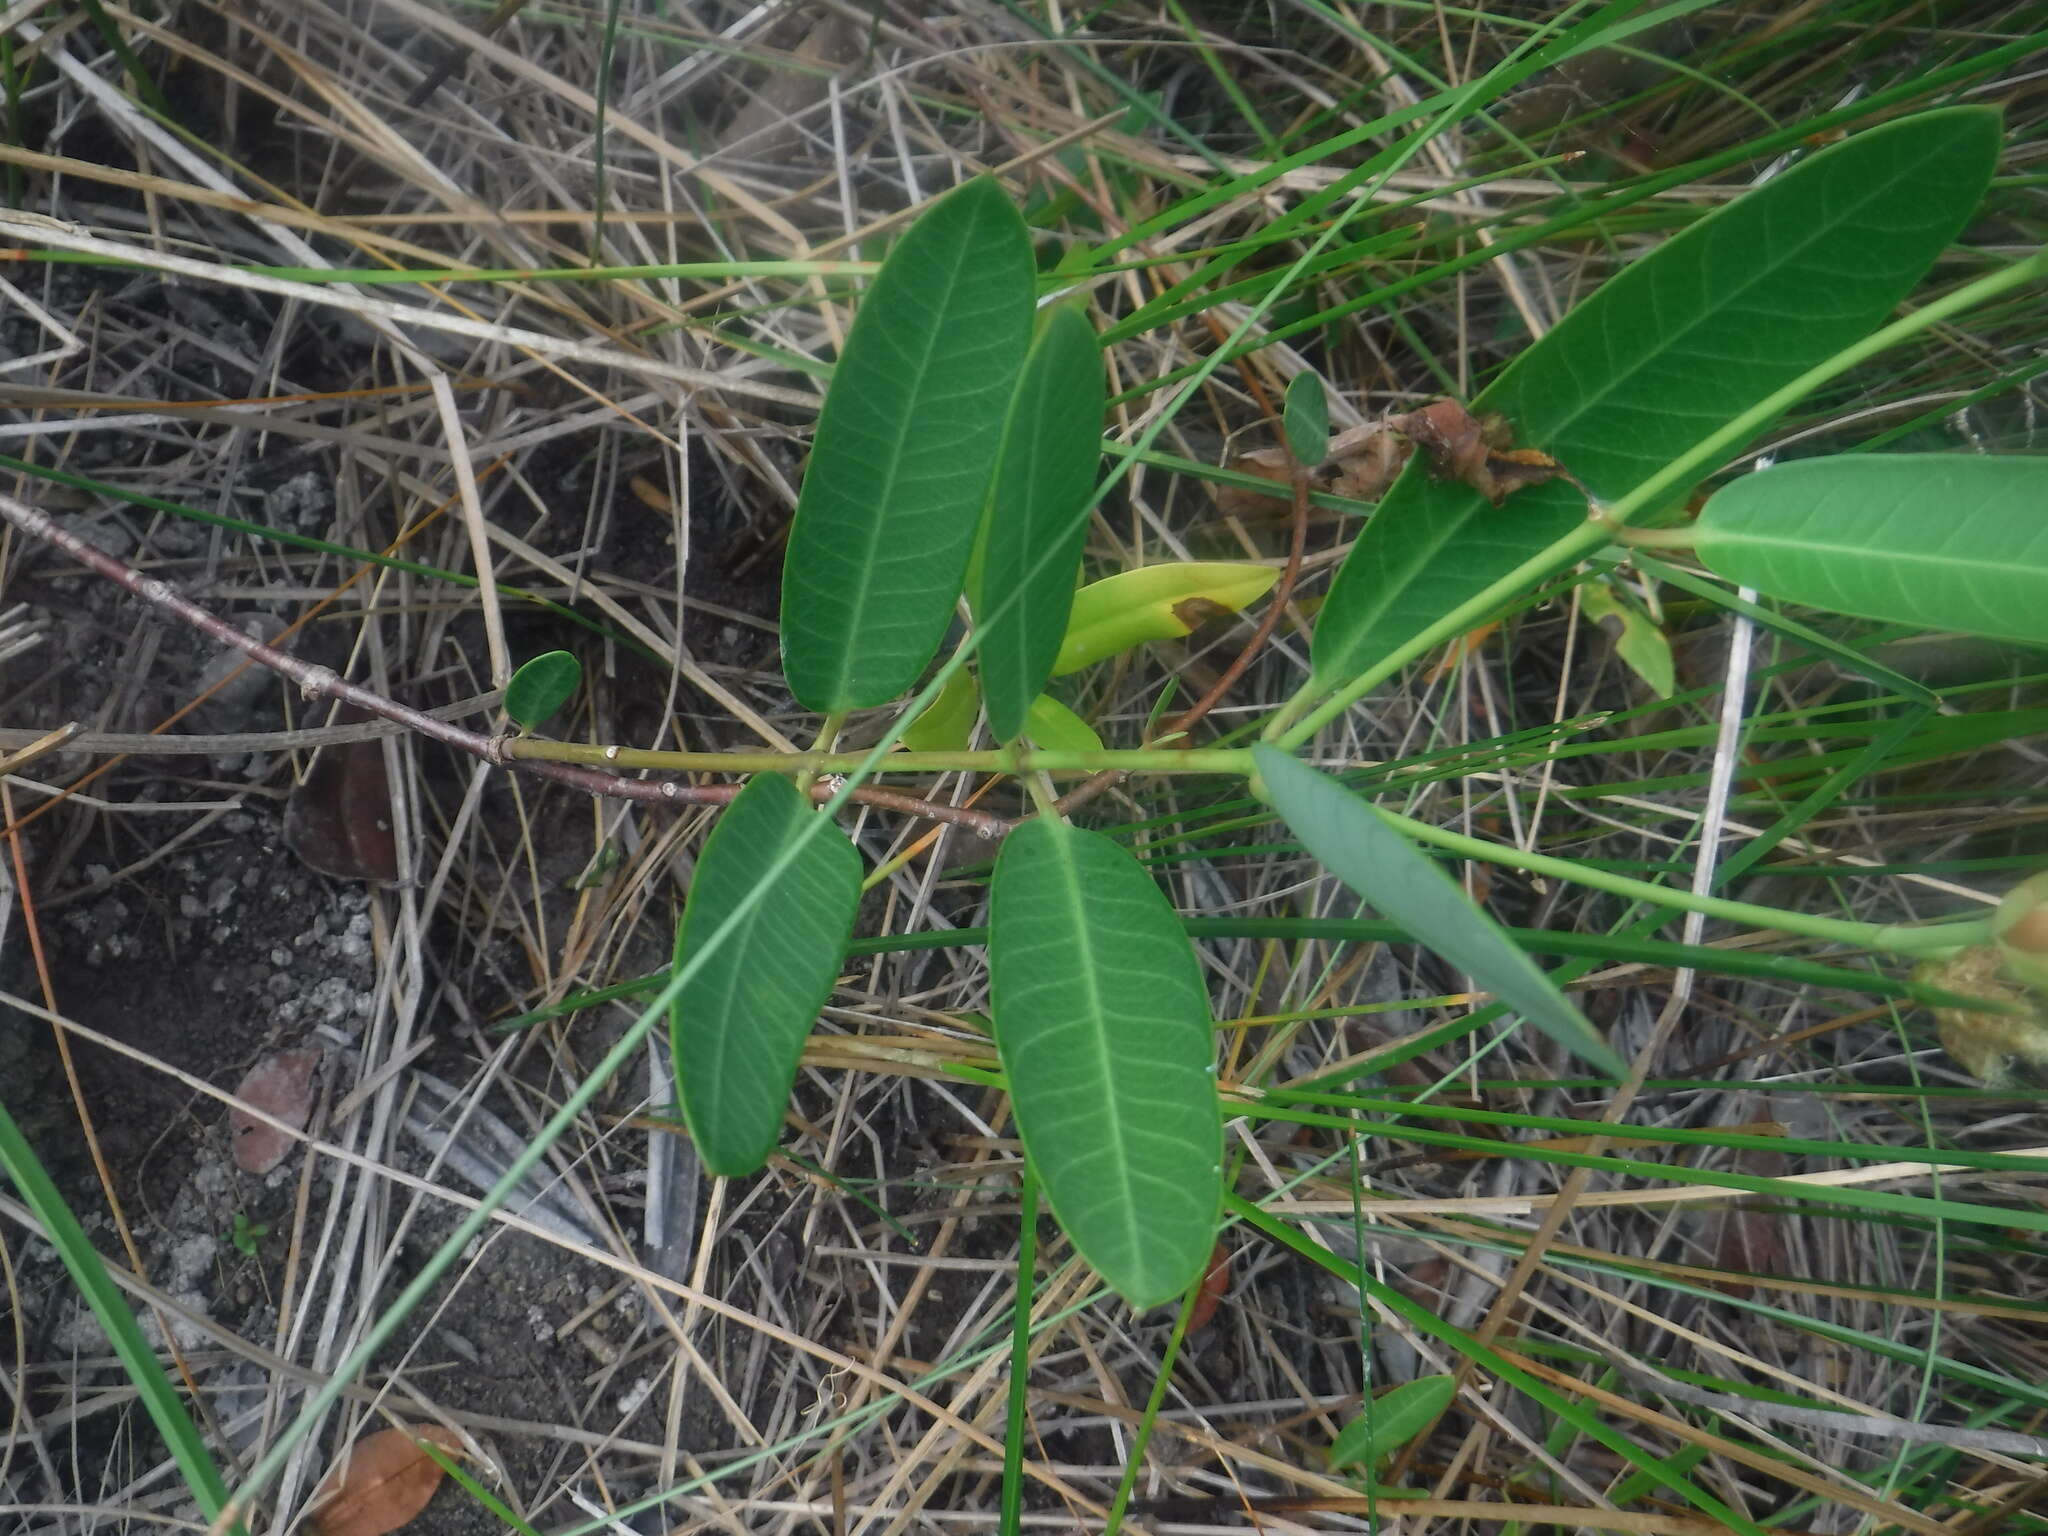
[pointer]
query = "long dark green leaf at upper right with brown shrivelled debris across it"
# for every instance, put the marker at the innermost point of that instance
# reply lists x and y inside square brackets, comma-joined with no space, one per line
[1662,355]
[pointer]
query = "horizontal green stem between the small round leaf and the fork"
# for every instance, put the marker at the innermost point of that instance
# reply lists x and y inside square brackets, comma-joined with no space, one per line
[1002,761]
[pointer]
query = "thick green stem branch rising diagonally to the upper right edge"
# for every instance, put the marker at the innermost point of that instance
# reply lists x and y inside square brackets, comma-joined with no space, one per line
[1291,728]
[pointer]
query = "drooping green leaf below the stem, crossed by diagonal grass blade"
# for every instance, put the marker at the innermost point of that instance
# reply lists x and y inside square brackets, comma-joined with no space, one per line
[740,1025]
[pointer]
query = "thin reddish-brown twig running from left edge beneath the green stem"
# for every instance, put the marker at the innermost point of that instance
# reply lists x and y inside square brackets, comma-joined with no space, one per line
[327,683]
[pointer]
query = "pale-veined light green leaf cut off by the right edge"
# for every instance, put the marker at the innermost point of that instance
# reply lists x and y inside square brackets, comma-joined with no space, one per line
[1943,540]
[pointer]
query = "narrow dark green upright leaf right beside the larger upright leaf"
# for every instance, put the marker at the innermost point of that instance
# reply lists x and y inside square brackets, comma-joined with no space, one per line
[1031,544]
